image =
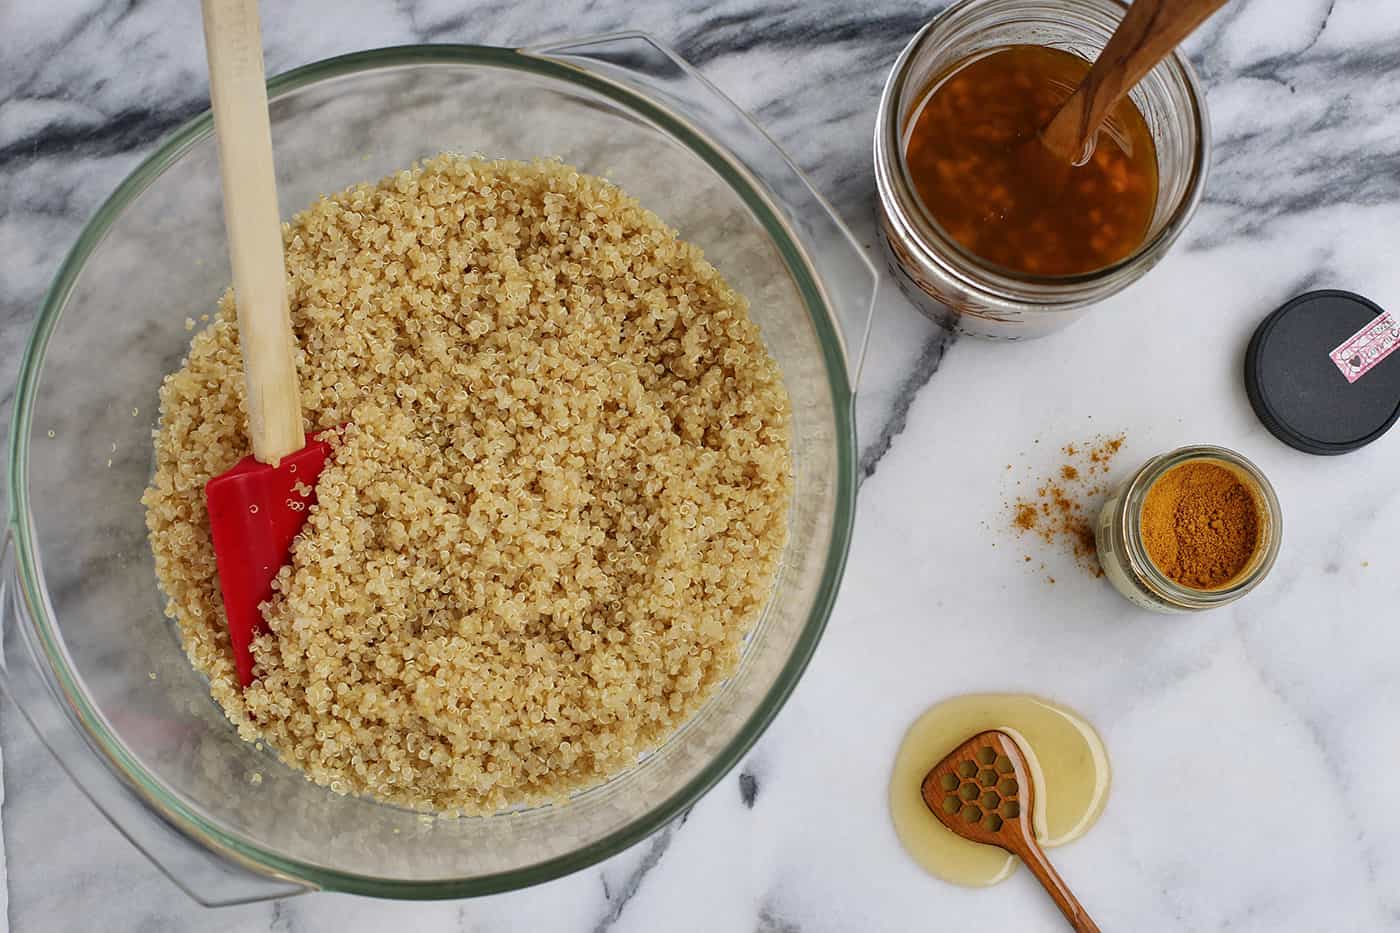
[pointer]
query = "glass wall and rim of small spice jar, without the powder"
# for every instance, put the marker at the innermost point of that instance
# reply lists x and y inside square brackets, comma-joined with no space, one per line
[1125,558]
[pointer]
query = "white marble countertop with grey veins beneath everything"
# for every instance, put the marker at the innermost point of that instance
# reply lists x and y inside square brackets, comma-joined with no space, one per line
[1252,747]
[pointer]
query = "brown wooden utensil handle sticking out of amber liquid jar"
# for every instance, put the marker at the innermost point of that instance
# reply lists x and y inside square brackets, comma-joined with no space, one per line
[1149,33]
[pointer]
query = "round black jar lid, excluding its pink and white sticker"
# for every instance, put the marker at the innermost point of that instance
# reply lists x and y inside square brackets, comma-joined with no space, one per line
[1301,394]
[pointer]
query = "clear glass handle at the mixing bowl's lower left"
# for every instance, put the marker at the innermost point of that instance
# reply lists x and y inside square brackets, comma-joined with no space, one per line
[41,698]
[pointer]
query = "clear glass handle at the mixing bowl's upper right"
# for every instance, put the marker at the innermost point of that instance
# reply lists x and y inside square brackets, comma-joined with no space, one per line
[645,67]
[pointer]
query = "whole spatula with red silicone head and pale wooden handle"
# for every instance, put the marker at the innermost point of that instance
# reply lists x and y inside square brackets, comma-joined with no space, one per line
[255,509]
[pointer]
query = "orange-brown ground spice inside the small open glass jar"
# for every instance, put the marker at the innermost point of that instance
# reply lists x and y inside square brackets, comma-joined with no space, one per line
[1200,525]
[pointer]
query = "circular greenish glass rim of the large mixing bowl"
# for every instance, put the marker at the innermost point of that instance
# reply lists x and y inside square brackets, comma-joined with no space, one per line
[234,845]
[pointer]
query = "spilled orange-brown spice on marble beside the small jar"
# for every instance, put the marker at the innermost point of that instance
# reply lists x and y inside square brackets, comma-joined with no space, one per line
[1065,505]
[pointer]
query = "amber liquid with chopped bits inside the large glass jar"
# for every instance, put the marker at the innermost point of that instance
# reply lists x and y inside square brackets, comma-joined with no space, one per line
[974,159]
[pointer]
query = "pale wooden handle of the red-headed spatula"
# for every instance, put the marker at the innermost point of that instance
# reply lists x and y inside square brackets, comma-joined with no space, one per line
[239,95]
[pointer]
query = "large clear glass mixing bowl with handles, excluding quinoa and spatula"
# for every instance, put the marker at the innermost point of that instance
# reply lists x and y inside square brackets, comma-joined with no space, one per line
[89,655]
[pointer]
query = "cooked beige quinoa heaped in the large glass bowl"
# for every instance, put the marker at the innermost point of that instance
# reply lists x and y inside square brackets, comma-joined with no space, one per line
[556,504]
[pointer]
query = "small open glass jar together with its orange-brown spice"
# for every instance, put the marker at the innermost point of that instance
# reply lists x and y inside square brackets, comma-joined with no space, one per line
[1195,529]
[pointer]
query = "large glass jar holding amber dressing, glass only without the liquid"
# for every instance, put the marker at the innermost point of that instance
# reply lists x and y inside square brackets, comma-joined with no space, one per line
[947,282]
